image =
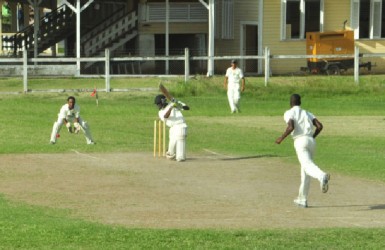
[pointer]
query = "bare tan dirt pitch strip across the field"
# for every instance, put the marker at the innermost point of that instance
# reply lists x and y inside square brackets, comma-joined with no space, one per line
[207,191]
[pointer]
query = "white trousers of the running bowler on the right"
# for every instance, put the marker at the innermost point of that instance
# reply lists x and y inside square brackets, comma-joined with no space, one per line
[305,149]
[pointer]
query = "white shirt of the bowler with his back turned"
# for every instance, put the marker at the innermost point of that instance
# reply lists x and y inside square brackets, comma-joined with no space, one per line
[303,121]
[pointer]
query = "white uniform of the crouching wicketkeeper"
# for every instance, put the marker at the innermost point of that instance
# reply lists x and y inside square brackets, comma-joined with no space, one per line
[70,115]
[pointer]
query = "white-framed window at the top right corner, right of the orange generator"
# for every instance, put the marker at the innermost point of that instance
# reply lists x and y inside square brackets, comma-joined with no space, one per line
[368,18]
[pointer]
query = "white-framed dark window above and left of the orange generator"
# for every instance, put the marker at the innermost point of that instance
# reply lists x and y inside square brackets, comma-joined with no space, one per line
[299,17]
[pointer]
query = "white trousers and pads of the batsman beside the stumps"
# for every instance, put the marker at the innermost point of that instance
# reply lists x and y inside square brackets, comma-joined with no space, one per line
[177,141]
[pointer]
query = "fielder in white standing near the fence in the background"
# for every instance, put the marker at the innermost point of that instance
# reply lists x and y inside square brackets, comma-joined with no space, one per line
[234,84]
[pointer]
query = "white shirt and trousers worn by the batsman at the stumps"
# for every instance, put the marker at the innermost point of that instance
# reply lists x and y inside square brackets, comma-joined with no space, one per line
[177,133]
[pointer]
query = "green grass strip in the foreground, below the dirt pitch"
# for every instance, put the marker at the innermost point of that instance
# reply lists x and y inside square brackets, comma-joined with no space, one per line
[26,227]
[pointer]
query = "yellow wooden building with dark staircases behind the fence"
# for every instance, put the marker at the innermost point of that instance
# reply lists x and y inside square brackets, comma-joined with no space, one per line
[142,28]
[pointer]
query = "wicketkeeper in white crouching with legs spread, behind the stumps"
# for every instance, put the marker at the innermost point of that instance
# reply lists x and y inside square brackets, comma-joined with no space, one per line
[69,115]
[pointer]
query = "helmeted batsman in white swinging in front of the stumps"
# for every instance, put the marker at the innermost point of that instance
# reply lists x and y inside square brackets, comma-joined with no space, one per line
[171,114]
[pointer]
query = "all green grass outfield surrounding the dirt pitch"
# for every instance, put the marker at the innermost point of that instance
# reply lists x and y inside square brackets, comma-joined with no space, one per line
[351,144]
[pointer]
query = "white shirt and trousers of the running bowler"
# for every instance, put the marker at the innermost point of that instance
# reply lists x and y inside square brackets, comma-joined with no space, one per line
[304,145]
